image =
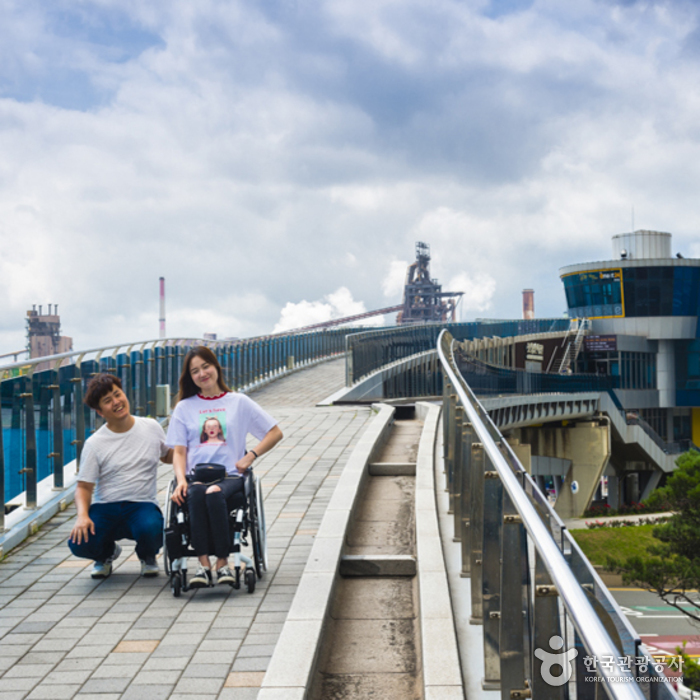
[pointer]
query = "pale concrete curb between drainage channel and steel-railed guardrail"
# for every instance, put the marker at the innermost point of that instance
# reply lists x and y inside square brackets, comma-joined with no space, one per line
[442,675]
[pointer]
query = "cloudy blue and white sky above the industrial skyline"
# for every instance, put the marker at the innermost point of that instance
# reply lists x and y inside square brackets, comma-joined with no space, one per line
[277,160]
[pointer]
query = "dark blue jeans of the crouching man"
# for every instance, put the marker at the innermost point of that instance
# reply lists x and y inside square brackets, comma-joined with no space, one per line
[121,520]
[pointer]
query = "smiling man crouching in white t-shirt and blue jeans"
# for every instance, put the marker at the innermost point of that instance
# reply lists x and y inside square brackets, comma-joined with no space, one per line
[116,492]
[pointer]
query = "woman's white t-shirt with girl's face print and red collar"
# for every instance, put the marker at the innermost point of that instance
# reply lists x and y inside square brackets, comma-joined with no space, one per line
[214,430]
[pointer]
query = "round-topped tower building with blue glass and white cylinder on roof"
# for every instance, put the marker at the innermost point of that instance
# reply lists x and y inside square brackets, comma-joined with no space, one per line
[644,303]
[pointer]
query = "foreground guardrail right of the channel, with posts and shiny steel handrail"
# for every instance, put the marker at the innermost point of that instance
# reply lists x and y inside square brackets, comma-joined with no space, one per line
[535,593]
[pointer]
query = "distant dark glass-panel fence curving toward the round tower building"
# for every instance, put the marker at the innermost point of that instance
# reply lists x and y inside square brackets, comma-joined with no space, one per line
[368,351]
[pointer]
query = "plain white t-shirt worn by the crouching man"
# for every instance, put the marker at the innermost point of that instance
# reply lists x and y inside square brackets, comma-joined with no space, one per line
[123,466]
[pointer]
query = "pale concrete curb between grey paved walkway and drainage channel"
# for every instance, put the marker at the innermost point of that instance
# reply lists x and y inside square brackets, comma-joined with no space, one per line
[293,661]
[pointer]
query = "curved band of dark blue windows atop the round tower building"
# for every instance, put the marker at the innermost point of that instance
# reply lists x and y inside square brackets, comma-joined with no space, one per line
[633,292]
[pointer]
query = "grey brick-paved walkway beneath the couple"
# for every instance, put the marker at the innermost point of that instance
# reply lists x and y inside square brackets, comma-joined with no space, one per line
[63,635]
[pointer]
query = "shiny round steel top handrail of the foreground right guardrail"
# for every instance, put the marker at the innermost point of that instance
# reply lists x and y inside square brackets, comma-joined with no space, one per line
[592,632]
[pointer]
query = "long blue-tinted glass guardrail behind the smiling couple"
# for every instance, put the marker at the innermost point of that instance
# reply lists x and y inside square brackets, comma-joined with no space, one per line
[45,423]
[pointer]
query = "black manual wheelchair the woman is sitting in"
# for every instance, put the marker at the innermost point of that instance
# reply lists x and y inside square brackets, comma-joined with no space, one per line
[246,519]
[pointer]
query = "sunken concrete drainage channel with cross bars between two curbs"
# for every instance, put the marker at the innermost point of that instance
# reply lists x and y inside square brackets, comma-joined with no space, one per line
[371,643]
